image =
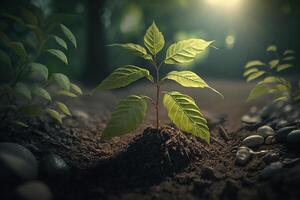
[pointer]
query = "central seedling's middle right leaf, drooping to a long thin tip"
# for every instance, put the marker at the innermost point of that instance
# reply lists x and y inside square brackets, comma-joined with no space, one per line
[189,79]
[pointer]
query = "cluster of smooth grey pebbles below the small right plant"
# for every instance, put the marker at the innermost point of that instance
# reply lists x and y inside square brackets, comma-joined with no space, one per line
[277,123]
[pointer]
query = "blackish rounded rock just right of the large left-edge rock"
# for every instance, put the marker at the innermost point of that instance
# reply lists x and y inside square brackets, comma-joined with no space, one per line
[54,168]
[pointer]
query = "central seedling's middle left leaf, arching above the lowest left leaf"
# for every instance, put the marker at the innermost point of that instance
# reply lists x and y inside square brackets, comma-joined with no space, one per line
[123,76]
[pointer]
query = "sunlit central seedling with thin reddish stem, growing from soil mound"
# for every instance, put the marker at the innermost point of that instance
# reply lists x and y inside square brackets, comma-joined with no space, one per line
[182,109]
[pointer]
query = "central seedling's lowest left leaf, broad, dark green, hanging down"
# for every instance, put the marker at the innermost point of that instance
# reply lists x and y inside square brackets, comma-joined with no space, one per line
[126,117]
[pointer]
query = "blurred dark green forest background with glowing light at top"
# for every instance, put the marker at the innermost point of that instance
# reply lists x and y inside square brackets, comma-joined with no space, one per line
[242,29]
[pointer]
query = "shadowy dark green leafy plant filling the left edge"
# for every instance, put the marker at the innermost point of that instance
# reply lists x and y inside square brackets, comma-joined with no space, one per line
[27,92]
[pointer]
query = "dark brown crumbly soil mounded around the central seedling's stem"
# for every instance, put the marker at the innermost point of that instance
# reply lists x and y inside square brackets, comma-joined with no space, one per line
[155,164]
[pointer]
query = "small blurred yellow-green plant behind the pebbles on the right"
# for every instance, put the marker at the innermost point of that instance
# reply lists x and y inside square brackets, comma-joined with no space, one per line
[272,83]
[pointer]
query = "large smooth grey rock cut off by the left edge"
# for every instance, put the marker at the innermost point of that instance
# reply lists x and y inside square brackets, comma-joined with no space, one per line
[17,164]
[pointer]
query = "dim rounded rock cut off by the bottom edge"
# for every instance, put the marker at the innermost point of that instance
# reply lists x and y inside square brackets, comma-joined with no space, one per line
[34,190]
